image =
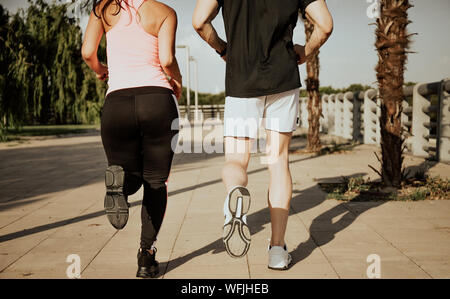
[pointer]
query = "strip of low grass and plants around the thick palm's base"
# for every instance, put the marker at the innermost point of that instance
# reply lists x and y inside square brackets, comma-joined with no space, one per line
[419,187]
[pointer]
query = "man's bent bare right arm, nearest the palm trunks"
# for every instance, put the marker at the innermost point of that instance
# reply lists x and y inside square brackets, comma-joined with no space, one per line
[318,14]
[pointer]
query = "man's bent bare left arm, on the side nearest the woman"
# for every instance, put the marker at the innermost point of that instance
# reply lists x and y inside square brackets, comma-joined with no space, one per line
[205,11]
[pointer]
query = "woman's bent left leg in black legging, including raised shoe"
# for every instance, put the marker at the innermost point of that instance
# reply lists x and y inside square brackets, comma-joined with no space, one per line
[121,141]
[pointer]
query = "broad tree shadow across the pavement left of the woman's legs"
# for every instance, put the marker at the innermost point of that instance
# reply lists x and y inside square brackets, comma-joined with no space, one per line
[34,172]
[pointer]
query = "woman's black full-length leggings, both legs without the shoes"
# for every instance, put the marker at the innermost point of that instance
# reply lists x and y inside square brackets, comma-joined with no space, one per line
[137,129]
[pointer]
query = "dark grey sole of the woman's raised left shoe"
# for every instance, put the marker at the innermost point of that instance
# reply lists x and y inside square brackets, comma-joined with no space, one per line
[116,205]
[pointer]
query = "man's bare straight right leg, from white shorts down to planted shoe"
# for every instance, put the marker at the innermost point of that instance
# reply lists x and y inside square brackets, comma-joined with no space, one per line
[280,186]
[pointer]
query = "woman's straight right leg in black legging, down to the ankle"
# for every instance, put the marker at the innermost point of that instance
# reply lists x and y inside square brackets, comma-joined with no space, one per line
[156,113]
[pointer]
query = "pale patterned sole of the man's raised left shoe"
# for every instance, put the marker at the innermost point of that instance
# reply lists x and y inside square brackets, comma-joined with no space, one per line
[236,234]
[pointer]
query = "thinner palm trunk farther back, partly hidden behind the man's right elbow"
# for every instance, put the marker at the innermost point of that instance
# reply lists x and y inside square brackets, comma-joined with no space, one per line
[314,103]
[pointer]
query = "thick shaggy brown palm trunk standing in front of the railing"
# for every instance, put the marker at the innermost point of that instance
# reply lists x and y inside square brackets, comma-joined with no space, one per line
[392,43]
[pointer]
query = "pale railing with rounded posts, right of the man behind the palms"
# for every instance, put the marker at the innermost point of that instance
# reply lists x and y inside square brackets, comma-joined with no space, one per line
[425,118]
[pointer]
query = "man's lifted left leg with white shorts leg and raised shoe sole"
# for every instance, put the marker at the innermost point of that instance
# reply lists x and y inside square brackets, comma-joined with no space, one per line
[241,119]
